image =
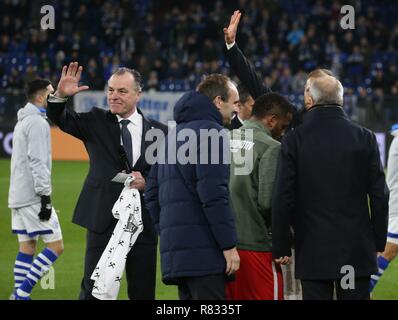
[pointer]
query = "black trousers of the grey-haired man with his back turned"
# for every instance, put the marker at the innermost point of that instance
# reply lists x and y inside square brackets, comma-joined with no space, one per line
[324,290]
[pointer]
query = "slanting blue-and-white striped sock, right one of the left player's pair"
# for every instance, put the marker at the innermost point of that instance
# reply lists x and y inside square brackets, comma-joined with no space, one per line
[41,264]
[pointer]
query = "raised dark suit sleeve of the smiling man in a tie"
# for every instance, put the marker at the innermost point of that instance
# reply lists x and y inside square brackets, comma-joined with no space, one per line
[68,121]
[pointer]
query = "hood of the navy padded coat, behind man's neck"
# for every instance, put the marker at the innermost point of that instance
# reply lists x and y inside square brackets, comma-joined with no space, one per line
[196,106]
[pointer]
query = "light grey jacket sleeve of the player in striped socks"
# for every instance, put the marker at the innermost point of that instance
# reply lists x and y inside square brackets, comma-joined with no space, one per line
[38,154]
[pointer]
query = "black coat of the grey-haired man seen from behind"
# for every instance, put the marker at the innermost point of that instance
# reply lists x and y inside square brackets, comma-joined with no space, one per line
[329,167]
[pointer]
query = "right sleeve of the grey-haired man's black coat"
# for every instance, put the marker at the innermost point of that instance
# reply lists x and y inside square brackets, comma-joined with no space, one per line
[378,196]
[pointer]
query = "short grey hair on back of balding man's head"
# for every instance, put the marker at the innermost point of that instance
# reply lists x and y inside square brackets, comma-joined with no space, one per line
[326,90]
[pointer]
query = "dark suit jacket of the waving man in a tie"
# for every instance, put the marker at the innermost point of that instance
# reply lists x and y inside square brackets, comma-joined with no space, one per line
[100,132]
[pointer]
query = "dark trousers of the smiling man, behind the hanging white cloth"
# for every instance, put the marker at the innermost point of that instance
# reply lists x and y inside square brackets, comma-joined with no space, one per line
[140,266]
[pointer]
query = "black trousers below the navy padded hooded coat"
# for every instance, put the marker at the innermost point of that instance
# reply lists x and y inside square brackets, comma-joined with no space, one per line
[211,287]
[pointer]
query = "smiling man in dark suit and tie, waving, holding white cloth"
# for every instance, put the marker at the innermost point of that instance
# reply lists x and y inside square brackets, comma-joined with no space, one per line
[102,133]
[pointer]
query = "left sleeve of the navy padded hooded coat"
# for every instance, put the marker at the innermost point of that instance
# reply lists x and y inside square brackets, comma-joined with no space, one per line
[151,196]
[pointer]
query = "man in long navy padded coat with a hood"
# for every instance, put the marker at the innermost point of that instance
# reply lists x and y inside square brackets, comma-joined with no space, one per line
[189,202]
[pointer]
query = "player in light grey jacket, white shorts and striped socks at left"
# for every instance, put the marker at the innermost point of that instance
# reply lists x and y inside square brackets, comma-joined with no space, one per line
[30,192]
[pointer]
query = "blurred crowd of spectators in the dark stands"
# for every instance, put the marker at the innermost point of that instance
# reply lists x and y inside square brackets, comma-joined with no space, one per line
[173,43]
